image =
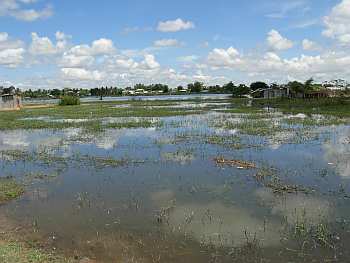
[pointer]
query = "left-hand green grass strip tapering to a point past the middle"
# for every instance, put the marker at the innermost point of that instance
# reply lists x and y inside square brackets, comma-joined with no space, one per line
[86,115]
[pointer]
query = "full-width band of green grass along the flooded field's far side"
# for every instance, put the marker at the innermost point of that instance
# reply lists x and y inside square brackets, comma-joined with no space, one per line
[92,113]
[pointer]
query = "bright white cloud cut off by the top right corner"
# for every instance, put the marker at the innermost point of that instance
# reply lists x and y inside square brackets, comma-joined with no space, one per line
[337,23]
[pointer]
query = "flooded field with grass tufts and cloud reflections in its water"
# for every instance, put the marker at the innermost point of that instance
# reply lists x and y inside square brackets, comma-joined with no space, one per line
[204,180]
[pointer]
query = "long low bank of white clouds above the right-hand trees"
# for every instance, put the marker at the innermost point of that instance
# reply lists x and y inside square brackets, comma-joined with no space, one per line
[271,67]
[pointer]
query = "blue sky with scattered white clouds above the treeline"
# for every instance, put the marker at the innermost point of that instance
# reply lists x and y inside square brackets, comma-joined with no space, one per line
[87,44]
